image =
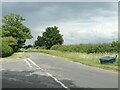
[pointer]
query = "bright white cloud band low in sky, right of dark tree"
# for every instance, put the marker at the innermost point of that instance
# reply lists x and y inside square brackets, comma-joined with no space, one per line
[103,30]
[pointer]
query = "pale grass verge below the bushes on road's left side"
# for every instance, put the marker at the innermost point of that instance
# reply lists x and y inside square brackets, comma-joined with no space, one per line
[15,56]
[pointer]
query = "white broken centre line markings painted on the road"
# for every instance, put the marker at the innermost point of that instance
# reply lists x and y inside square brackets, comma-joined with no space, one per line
[48,74]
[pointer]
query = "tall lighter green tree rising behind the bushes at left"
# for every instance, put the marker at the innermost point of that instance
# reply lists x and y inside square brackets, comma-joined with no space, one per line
[12,26]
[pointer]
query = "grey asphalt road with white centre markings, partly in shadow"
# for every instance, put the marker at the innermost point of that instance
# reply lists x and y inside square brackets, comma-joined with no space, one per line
[46,71]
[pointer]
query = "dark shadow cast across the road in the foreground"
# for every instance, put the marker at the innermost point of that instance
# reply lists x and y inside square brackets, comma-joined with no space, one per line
[24,79]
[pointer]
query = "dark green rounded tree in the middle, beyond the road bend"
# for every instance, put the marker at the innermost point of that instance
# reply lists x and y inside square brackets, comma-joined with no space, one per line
[50,37]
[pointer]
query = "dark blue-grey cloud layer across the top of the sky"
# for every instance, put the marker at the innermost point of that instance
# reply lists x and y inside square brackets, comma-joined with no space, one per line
[38,13]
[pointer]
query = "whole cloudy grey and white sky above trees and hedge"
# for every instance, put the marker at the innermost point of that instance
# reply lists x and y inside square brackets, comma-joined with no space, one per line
[80,22]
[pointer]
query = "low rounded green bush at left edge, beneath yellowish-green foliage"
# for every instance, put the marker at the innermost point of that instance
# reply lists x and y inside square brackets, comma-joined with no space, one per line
[6,50]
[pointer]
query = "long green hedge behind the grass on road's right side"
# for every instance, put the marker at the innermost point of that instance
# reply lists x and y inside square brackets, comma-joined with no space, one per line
[88,48]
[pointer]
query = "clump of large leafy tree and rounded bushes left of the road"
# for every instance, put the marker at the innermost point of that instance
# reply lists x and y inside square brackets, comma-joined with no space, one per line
[14,34]
